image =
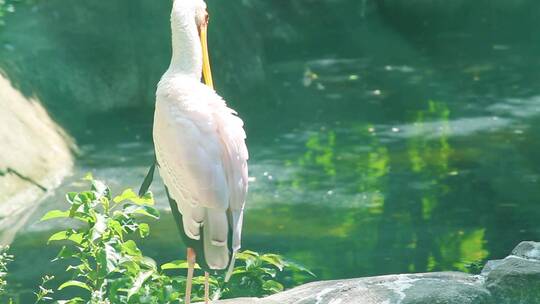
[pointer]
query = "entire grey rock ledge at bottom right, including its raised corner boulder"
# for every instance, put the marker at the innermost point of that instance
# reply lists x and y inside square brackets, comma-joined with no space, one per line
[513,280]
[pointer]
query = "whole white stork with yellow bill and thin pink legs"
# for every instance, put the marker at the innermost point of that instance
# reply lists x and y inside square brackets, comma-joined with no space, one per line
[200,148]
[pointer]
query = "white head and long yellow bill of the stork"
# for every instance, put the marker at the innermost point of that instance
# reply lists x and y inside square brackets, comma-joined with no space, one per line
[188,13]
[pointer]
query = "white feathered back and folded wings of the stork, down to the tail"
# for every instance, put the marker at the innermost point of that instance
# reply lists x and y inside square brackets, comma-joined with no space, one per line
[202,158]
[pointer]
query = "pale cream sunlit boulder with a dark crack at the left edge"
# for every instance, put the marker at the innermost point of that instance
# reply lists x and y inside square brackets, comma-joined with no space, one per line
[36,148]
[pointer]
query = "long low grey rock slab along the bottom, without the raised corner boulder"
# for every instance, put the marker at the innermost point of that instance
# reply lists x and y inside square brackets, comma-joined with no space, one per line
[429,288]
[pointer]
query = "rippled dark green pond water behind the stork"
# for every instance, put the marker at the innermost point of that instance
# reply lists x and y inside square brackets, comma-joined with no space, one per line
[385,137]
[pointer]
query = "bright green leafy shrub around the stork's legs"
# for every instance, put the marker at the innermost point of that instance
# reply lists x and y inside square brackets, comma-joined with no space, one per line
[107,266]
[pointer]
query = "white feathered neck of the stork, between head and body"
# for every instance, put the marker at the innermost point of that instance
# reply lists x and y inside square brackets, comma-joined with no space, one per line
[186,51]
